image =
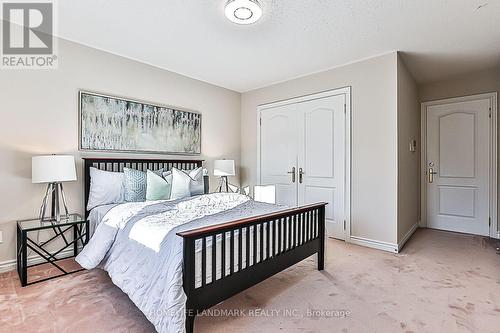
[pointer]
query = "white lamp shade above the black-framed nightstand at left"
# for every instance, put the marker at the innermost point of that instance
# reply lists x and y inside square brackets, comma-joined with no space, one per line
[53,168]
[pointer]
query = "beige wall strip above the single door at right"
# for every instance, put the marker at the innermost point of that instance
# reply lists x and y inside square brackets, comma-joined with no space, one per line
[470,84]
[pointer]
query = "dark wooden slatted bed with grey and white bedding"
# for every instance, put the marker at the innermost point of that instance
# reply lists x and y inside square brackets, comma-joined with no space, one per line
[240,247]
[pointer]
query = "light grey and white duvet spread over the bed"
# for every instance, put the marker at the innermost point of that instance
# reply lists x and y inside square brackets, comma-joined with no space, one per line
[136,243]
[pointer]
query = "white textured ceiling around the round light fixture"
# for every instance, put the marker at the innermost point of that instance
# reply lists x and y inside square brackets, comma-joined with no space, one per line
[439,38]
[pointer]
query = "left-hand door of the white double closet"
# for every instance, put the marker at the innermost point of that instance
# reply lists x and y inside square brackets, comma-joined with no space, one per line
[279,152]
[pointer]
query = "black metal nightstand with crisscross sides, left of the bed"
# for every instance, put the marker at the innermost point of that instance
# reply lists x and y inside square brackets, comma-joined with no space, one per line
[27,230]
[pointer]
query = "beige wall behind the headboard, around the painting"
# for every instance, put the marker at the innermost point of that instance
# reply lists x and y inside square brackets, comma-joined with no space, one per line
[39,115]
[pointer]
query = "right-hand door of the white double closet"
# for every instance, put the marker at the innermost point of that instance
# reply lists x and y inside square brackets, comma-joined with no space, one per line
[321,155]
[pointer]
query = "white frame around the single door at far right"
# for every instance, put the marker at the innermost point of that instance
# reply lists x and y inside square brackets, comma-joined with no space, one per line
[493,190]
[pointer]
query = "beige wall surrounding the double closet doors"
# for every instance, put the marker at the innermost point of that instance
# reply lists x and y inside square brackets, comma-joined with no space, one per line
[374,138]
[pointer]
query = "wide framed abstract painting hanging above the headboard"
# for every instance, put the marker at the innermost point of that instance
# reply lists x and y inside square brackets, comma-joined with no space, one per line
[115,124]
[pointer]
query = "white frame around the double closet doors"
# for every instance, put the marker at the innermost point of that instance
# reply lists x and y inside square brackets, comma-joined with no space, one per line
[348,123]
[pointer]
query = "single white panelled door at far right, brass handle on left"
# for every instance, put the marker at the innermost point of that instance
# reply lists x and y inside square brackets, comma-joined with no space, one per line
[458,149]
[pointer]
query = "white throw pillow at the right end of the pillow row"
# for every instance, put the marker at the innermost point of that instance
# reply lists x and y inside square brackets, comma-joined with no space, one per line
[186,184]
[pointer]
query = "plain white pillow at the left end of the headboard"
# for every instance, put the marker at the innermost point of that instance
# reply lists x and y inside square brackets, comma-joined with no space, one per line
[106,187]
